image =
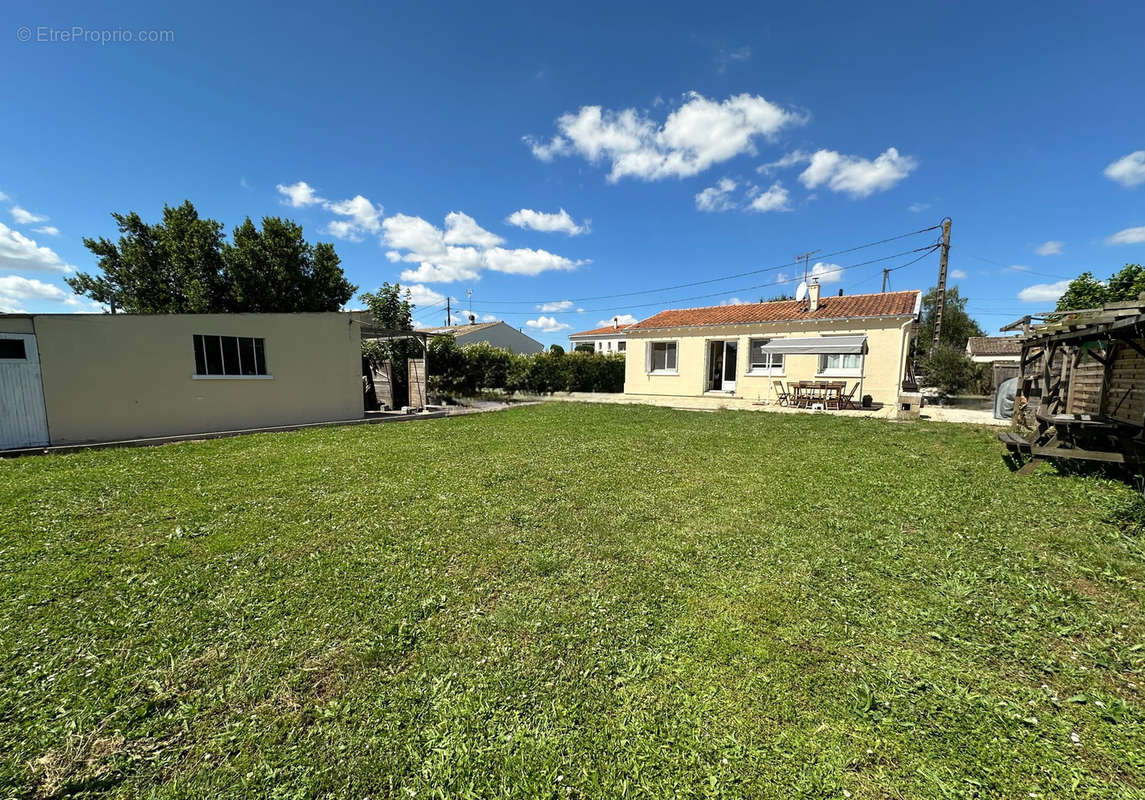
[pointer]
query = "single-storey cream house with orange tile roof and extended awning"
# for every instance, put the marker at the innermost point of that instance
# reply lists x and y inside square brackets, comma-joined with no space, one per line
[743,351]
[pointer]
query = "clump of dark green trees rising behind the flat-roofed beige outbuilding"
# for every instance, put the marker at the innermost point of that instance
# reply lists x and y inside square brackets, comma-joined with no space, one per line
[184,266]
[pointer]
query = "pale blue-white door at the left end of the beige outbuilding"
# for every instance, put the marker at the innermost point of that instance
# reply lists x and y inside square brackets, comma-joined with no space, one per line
[23,419]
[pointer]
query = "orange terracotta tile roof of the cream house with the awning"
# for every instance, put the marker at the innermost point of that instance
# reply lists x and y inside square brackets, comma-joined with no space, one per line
[831,307]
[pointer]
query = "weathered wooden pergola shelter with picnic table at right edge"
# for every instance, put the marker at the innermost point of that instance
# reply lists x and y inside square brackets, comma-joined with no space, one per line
[1081,390]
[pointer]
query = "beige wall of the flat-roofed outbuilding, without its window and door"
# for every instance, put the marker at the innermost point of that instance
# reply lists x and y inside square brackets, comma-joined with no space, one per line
[124,377]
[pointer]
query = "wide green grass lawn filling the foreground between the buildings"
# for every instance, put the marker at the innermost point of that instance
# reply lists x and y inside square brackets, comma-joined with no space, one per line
[571,601]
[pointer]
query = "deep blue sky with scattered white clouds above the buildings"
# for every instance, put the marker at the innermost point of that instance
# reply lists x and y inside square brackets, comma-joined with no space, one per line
[563,157]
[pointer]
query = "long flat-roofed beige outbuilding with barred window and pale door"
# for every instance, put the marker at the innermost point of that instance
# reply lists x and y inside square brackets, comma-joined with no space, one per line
[73,378]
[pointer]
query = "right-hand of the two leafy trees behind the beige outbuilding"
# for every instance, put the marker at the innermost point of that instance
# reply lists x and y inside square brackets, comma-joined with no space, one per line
[277,270]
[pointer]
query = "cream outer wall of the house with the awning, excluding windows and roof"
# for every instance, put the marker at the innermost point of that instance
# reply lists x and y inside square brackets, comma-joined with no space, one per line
[888,343]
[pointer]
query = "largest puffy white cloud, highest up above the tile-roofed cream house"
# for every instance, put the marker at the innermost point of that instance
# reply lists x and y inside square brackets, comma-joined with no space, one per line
[697,136]
